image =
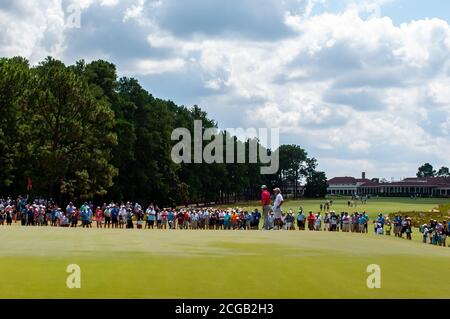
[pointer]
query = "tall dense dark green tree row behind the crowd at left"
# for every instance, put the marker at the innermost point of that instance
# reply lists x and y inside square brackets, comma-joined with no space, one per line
[79,132]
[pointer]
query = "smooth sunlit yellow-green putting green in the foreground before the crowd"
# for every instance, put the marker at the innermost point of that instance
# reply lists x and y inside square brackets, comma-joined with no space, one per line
[216,264]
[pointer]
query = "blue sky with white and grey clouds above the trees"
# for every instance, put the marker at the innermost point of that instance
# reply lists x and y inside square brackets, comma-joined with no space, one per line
[361,85]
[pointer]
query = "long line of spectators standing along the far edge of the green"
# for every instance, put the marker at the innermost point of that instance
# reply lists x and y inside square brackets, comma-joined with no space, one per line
[129,215]
